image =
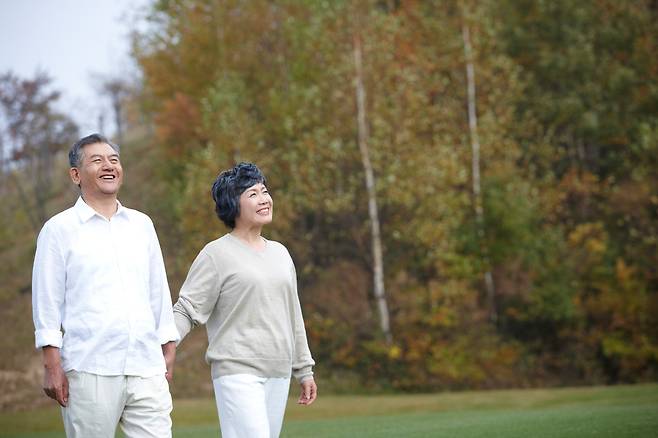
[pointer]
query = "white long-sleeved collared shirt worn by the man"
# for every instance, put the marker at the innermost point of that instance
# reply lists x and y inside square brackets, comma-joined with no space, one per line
[100,292]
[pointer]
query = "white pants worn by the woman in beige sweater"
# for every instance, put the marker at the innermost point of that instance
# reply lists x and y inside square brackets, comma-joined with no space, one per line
[251,406]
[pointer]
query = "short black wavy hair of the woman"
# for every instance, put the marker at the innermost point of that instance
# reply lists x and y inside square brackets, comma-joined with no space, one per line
[228,187]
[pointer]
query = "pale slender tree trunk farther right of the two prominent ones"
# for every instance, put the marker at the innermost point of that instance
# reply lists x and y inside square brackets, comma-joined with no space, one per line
[475,169]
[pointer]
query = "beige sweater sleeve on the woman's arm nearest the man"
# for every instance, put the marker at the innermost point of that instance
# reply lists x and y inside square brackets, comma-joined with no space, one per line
[198,295]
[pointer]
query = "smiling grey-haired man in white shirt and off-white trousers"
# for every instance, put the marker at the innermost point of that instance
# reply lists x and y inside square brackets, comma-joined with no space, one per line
[101,307]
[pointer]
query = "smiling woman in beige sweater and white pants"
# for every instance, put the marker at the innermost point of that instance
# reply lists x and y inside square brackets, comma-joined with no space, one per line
[243,287]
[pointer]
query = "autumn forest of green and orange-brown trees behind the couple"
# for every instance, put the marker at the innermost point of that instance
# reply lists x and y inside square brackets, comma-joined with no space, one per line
[469,189]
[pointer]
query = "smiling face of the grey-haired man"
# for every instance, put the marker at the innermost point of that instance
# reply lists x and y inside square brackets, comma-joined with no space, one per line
[100,173]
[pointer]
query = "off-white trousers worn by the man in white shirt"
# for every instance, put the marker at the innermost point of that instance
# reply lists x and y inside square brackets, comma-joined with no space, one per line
[141,405]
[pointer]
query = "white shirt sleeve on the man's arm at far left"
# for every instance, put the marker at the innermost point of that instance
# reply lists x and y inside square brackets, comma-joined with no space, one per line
[48,286]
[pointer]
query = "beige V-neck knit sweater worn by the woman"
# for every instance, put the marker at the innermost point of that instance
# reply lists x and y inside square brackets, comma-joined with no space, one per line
[248,301]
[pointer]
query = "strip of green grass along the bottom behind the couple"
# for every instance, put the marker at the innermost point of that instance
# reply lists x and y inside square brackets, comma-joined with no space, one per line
[615,412]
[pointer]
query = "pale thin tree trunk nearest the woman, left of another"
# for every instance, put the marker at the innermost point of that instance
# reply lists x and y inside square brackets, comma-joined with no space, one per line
[378,260]
